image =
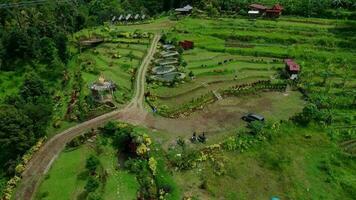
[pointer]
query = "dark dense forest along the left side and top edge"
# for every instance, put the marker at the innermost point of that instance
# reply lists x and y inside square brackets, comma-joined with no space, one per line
[34,42]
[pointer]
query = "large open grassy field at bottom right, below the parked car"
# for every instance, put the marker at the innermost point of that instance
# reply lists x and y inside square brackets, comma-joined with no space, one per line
[289,167]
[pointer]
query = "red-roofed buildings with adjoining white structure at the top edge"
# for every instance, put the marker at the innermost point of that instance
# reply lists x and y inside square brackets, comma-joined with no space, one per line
[257,10]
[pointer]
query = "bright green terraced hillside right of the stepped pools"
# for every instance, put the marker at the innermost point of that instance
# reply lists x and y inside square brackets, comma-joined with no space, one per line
[230,52]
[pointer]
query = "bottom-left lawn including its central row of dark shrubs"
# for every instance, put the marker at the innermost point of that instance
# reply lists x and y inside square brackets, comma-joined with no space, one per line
[90,170]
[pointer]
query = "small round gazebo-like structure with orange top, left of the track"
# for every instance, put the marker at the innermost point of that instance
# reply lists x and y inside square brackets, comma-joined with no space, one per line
[103,90]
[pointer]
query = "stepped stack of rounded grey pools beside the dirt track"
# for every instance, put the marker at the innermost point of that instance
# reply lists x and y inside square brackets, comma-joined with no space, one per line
[166,66]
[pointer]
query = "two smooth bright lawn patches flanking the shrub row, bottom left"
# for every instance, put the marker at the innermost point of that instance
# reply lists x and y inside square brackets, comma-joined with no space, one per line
[67,177]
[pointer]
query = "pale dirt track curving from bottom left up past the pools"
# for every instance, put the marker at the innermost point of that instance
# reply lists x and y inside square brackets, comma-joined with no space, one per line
[133,113]
